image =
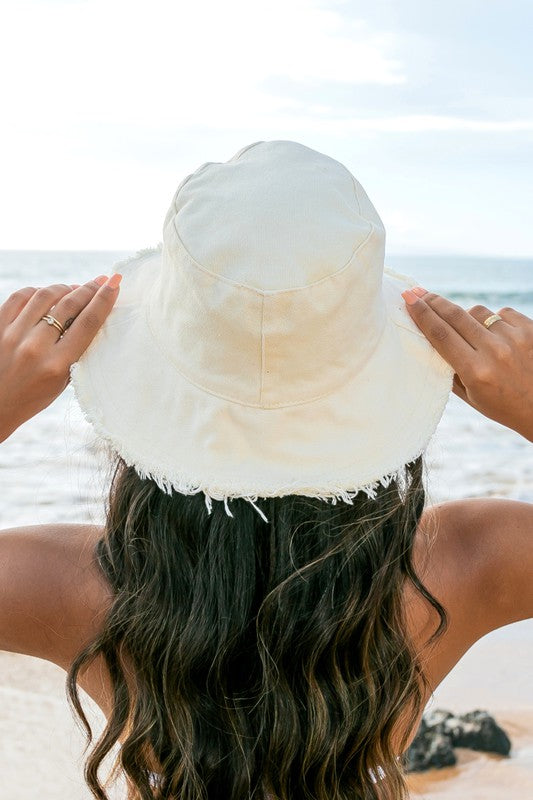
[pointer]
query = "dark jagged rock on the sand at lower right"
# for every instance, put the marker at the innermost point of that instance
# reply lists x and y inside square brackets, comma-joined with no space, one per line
[440,731]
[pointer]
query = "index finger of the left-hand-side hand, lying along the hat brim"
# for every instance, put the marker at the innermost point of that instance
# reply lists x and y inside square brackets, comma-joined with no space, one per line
[89,321]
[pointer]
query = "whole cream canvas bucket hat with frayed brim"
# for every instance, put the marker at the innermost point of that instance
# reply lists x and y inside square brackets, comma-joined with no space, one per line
[263,349]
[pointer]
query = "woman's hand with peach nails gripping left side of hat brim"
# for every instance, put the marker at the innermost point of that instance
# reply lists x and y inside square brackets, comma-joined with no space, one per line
[35,358]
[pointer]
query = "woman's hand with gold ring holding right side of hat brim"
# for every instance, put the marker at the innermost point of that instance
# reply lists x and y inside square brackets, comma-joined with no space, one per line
[493,366]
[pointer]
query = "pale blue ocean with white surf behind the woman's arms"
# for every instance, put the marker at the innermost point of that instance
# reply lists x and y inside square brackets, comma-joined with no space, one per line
[54,468]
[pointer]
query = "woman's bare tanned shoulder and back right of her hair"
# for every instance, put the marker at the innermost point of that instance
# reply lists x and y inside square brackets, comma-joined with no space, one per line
[476,557]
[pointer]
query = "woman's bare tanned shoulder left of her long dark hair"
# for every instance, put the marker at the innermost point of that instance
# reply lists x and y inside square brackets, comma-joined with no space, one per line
[52,594]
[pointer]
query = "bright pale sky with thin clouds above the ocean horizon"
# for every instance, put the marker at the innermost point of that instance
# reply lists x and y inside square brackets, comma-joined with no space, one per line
[107,104]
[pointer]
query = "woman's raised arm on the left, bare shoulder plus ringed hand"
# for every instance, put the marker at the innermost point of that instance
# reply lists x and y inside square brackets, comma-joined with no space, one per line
[49,586]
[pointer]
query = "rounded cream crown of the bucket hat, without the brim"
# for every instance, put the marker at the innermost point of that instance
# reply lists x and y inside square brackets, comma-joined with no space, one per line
[270,288]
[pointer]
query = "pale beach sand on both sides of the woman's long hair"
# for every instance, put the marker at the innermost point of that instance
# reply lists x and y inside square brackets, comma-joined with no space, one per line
[41,747]
